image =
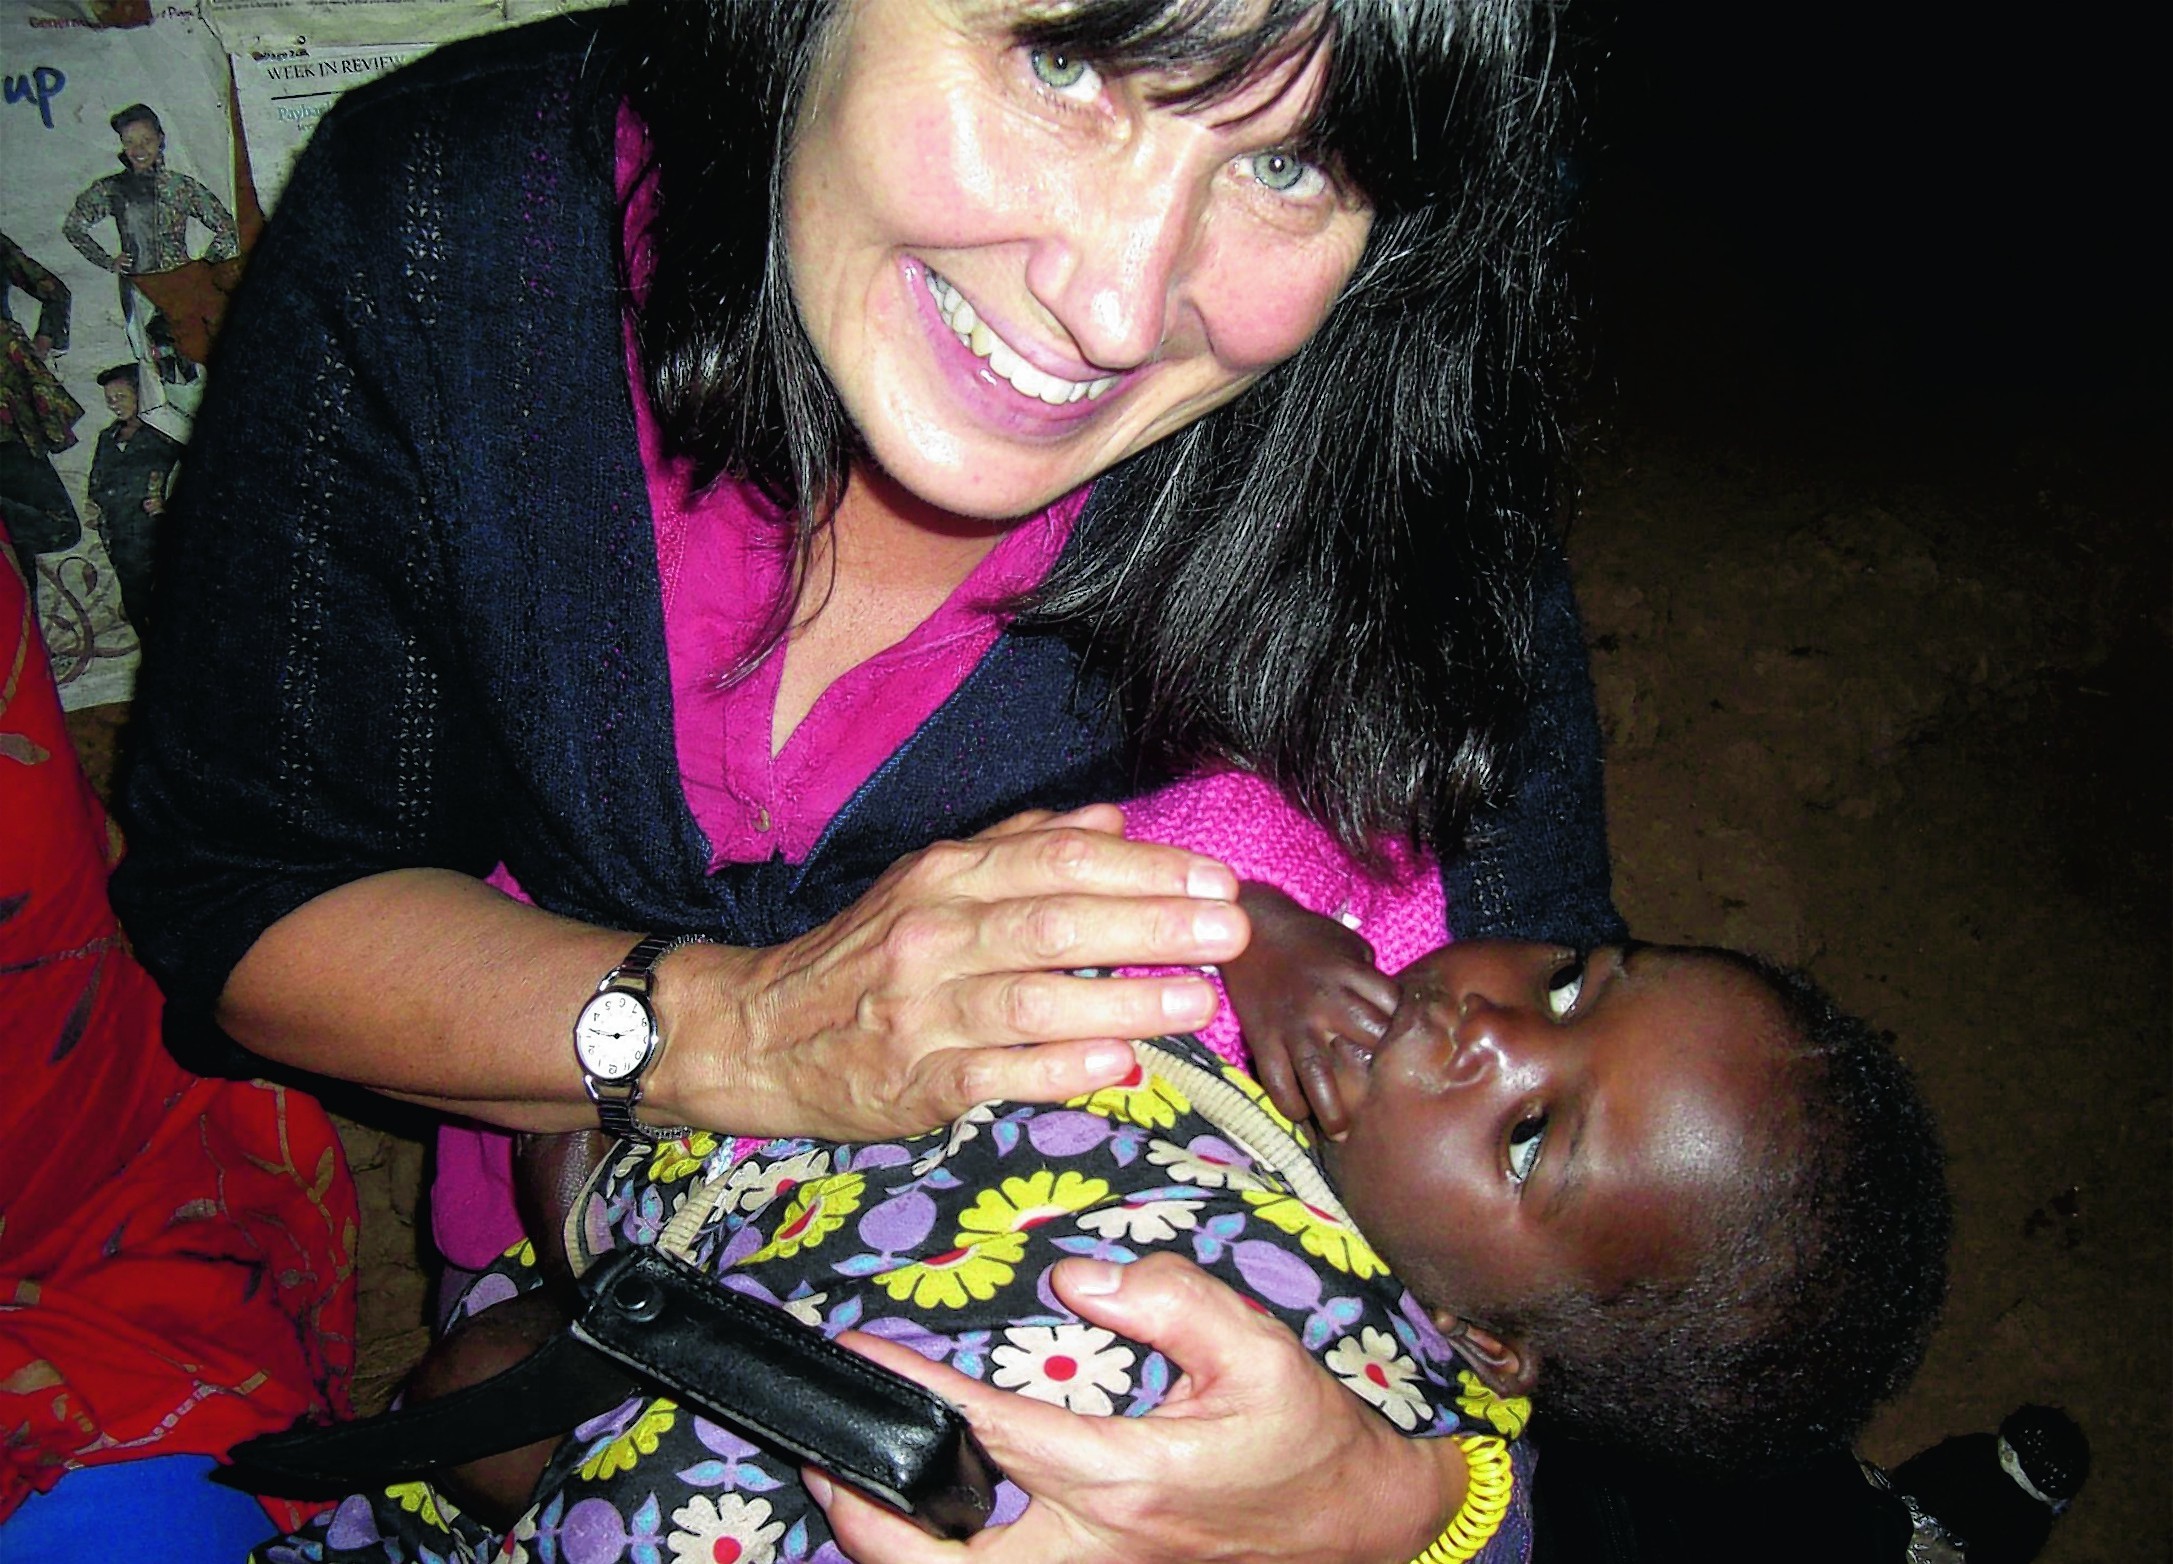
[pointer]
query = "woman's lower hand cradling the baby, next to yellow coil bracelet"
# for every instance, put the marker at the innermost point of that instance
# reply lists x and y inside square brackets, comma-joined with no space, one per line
[1259,1454]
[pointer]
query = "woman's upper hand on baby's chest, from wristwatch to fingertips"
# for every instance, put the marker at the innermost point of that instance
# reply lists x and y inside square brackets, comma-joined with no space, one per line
[912,1007]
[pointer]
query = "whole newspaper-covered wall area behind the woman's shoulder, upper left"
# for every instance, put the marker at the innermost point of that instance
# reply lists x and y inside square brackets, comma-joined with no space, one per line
[140,149]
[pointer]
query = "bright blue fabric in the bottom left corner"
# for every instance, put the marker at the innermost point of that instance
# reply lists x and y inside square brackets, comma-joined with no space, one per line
[158,1509]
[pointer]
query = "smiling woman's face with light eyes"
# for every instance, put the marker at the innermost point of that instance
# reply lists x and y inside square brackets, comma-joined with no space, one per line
[1018,273]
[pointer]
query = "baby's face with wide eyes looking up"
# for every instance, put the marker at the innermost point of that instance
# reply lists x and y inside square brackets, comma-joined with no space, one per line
[1537,1120]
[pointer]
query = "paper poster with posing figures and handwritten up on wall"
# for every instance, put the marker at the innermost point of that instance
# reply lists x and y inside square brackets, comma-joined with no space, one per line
[118,166]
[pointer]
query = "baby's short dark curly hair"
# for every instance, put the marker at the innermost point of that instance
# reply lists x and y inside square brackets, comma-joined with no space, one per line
[1816,1294]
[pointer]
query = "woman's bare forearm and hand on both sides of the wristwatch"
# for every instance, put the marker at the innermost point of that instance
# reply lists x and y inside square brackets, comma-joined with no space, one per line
[894,1018]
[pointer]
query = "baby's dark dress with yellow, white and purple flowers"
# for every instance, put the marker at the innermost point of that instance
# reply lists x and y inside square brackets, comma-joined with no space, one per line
[944,1241]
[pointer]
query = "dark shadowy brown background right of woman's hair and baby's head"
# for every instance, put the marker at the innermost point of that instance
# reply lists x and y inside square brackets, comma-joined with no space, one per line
[1874,555]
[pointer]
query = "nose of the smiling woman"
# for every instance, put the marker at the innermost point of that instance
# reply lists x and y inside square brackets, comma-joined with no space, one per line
[1114,262]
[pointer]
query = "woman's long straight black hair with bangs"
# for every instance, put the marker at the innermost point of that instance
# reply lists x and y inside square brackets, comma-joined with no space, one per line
[1327,581]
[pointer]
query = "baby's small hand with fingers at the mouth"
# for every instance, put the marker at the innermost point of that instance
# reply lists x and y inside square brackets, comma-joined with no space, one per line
[1303,983]
